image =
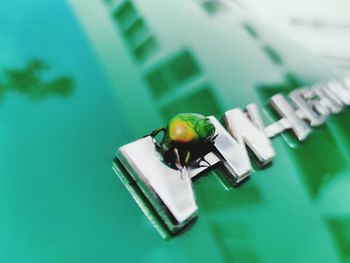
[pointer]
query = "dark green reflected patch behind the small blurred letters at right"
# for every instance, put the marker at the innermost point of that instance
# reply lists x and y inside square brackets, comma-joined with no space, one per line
[330,161]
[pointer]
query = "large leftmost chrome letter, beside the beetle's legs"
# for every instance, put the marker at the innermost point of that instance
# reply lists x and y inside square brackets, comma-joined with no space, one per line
[170,195]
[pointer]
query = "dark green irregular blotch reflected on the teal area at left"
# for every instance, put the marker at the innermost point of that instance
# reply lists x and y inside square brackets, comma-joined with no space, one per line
[30,81]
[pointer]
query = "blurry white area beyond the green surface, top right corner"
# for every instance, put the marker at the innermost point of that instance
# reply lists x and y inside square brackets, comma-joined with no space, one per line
[322,27]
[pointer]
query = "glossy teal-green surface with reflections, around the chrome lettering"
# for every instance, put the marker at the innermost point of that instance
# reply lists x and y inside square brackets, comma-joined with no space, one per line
[78,79]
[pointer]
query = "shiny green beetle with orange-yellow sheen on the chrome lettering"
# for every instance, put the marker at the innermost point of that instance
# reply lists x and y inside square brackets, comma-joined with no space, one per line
[187,138]
